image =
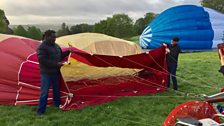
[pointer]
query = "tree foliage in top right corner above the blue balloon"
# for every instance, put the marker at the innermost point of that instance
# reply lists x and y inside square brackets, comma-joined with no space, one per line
[214,4]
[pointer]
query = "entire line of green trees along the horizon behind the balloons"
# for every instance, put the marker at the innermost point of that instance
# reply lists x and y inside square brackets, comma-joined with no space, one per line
[119,25]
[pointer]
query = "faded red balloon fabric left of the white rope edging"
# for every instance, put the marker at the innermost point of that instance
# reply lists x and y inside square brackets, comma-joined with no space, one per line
[13,52]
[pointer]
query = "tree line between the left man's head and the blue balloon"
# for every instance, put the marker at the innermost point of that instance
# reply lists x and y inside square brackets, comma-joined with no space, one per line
[119,25]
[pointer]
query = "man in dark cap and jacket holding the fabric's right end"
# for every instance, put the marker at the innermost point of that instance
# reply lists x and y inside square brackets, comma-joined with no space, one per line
[172,53]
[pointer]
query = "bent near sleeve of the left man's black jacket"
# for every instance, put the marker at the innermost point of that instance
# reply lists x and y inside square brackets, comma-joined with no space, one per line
[43,58]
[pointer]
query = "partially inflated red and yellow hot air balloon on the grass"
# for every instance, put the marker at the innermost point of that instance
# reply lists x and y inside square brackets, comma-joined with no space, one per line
[110,69]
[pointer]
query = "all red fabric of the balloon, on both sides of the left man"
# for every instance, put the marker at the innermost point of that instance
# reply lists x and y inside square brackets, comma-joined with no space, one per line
[20,76]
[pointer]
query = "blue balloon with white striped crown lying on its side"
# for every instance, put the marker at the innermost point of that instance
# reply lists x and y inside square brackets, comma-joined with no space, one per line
[197,27]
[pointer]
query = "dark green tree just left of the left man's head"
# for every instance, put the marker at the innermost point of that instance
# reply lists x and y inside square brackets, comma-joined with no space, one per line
[34,33]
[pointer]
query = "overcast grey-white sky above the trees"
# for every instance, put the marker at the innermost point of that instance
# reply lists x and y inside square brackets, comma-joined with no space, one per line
[81,11]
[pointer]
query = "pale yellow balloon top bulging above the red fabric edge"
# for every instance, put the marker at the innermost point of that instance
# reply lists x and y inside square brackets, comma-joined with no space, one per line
[100,44]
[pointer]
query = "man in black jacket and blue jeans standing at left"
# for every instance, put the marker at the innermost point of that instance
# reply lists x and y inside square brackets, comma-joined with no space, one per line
[50,56]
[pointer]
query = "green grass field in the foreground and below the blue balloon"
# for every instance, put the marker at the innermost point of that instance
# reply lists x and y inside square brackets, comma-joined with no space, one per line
[197,73]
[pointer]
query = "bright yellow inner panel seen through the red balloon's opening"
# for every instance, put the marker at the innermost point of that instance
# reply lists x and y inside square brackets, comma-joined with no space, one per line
[78,71]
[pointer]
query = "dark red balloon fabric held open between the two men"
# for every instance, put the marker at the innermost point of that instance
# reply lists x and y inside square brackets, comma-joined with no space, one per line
[152,79]
